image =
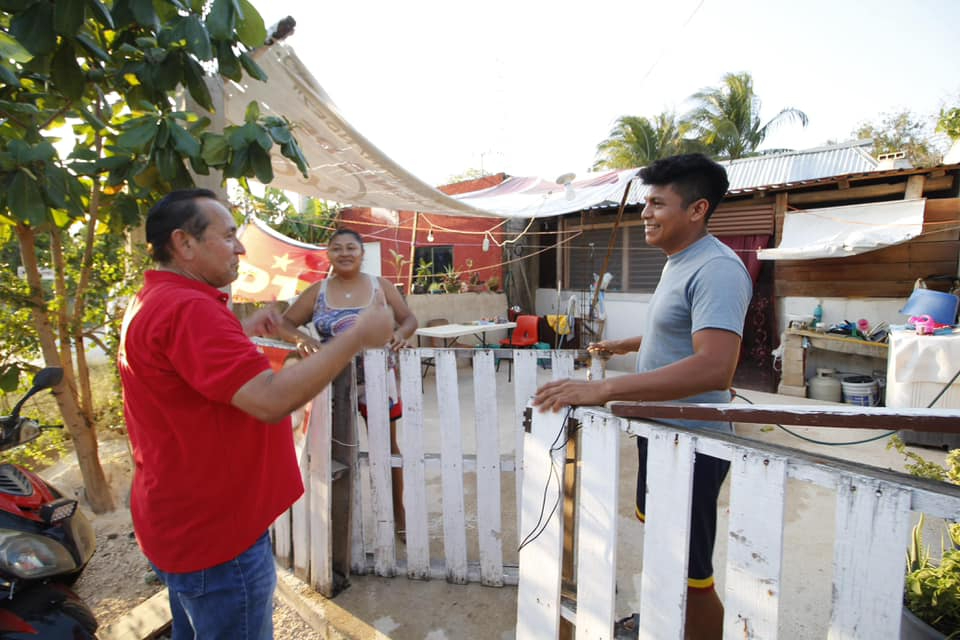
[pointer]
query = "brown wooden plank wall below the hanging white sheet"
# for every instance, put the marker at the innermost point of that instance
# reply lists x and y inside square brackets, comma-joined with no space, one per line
[889,272]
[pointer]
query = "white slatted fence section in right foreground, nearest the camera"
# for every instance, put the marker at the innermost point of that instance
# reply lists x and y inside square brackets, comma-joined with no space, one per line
[871,533]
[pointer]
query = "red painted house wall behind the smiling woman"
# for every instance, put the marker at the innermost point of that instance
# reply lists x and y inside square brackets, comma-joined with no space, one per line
[464,233]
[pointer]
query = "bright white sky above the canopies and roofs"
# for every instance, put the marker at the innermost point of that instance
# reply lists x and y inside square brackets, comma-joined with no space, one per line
[530,87]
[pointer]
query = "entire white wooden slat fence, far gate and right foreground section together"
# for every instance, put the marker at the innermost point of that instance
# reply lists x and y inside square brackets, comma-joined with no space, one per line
[873,508]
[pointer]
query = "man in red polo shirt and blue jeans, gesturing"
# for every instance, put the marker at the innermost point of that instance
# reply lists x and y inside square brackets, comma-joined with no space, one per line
[208,421]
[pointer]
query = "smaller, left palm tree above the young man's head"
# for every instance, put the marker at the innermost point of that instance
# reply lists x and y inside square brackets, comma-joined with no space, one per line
[636,141]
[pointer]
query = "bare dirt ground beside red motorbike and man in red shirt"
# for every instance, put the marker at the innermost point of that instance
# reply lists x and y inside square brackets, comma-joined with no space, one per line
[118,577]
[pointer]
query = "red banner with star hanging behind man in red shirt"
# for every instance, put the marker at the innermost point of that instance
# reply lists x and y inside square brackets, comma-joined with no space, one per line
[275,267]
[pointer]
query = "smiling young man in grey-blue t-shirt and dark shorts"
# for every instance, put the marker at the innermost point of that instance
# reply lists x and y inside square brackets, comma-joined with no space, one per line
[690,347]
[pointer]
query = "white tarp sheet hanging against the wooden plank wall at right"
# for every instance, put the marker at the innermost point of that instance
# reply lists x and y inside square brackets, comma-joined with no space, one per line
[836,232]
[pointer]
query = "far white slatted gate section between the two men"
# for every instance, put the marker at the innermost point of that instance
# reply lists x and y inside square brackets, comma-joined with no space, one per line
[302,538]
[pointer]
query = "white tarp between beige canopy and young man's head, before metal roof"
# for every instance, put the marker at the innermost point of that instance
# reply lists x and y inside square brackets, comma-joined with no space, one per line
[538,198]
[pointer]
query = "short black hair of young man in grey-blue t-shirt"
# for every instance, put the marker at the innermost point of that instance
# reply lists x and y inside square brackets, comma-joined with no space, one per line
[692,175]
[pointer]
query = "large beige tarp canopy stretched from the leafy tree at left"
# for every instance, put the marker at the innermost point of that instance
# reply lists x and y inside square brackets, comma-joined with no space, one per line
[344,166]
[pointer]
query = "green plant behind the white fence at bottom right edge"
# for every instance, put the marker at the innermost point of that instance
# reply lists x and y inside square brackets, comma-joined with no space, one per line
[932,587]
